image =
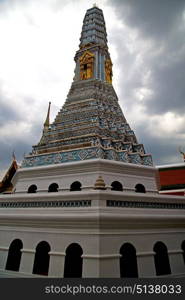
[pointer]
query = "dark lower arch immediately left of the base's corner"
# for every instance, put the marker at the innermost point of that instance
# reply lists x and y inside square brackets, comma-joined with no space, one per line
[73,261]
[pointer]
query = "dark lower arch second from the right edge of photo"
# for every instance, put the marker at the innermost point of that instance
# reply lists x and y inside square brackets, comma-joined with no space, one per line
[161,259]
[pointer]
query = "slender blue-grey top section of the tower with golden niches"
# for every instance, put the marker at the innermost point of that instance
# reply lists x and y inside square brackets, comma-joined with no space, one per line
[93,60]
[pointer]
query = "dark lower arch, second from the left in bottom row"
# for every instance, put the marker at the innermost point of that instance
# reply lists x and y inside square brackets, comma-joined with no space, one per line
[41,261]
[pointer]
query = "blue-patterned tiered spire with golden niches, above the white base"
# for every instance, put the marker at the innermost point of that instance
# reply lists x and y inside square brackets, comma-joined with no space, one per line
[91,123]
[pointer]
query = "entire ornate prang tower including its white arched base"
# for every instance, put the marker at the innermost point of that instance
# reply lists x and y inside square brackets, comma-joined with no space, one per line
[85,202]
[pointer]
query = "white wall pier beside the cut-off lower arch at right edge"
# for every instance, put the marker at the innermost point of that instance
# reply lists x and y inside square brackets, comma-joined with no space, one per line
[176,261]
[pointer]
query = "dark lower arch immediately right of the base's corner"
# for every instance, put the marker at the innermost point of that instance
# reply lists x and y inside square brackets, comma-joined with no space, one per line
[128,261]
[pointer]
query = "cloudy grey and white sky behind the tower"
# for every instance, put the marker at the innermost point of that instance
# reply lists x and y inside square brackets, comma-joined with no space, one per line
[146,39]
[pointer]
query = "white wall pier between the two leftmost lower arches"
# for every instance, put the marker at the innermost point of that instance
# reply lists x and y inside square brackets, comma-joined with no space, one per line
[27,261]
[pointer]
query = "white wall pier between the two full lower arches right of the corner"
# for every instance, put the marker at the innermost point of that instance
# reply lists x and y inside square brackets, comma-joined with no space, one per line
[145,263]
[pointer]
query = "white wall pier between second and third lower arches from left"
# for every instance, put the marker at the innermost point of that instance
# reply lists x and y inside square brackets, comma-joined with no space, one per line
[56,264]
